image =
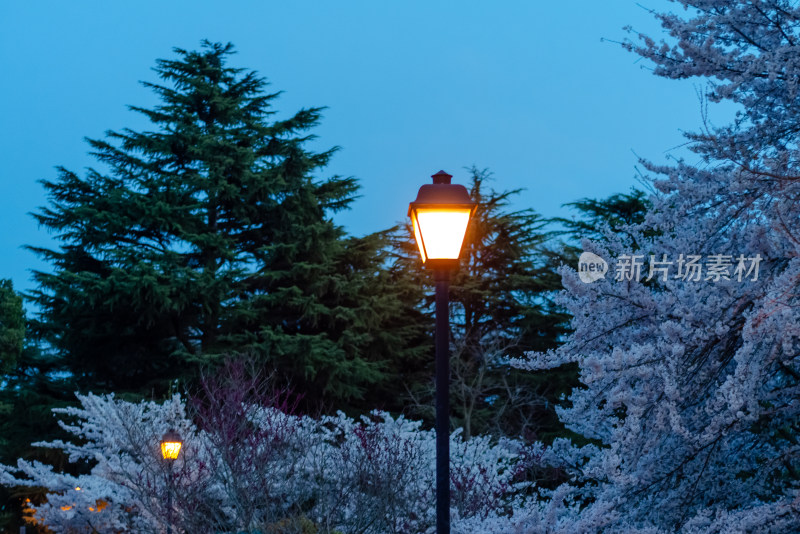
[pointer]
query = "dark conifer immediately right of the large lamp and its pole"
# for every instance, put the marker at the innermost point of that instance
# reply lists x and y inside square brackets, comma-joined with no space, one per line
[503,308]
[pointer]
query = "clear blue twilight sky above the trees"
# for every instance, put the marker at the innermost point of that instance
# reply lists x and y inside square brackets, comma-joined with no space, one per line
[526,89]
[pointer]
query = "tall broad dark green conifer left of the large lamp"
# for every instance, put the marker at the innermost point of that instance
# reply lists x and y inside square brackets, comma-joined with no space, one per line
[208,234]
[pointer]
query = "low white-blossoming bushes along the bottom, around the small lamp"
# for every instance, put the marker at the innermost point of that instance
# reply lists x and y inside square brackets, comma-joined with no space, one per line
[260,469]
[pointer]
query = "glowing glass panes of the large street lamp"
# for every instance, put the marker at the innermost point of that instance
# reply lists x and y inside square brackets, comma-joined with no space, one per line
[442,231]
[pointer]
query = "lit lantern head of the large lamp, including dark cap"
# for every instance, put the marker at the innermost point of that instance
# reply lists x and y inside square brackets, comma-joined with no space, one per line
[440,216]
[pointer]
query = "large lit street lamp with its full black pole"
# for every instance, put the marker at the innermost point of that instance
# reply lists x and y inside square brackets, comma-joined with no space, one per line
[440,216]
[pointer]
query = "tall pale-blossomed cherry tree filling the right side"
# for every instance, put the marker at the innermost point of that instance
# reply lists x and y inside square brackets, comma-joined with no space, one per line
[692,377]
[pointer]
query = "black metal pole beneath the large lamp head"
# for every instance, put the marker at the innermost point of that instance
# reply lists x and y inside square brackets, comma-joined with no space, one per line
[442,402]
